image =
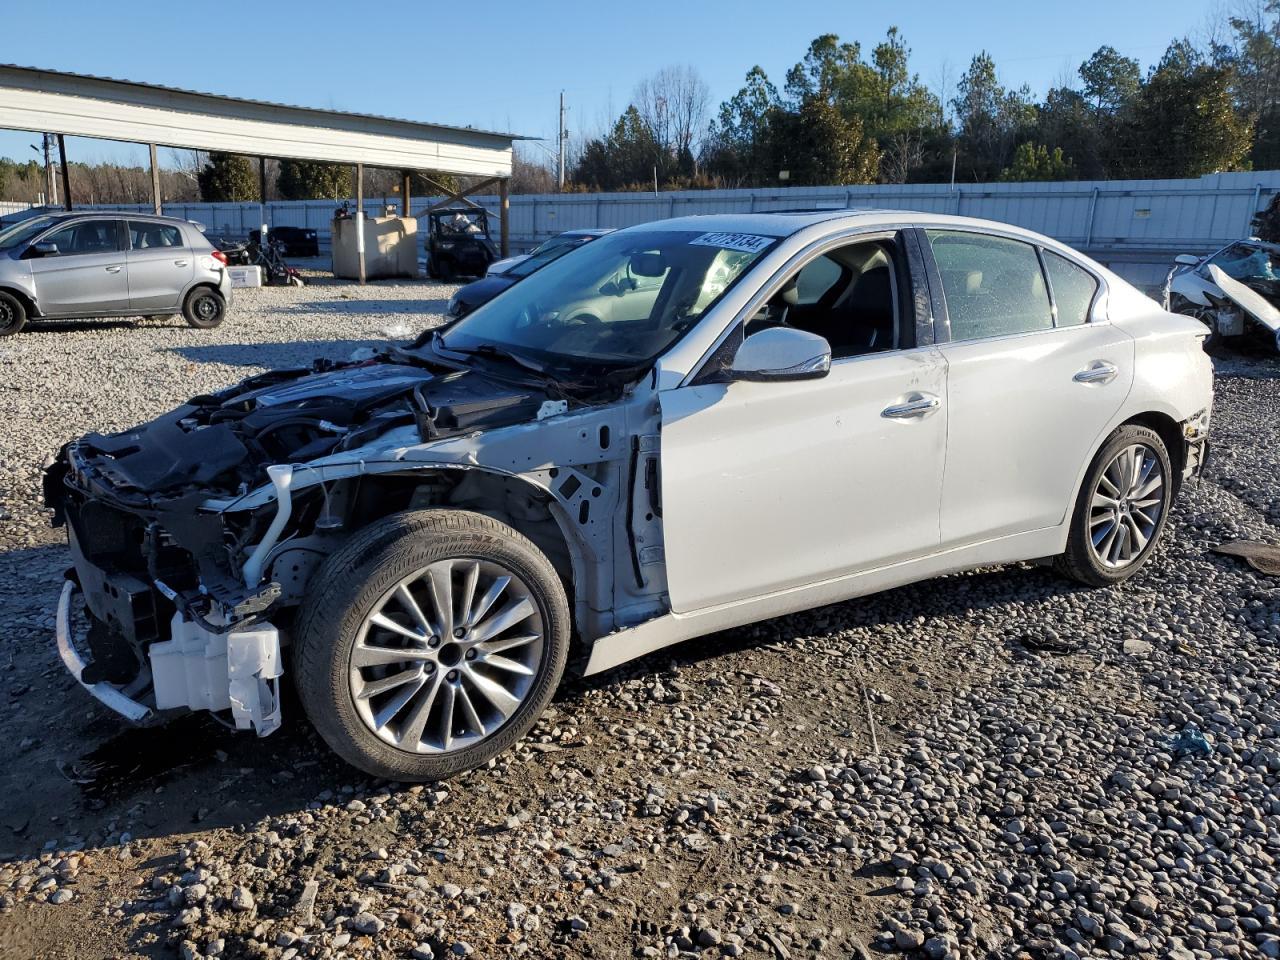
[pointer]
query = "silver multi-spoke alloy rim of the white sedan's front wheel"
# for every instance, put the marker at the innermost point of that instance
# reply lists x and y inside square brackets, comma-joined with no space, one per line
[447,656]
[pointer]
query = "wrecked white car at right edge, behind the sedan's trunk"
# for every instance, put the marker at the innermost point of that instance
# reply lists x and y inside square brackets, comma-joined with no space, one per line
[1235,291]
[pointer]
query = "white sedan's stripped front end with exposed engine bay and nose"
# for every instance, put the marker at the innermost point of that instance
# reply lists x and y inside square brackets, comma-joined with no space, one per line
[194,536]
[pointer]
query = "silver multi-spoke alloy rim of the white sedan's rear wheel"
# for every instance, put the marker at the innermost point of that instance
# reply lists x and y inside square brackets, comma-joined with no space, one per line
[1127,505]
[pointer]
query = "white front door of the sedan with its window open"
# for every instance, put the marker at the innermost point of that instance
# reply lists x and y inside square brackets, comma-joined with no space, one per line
[784,484]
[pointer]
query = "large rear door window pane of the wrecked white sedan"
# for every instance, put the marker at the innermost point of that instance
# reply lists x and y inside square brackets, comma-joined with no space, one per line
[994,286]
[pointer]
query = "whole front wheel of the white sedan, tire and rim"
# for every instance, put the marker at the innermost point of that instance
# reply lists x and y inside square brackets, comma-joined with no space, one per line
[431,643]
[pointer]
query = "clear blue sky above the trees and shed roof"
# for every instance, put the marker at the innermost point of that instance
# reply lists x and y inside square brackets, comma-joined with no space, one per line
[501,66]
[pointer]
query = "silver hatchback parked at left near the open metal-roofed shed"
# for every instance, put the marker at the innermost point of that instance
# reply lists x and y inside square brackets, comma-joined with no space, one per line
[109,264]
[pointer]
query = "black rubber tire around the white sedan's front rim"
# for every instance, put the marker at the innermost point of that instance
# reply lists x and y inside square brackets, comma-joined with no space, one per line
[354,580]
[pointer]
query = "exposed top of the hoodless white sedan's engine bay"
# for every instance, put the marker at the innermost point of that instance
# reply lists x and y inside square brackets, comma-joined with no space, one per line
[222,442]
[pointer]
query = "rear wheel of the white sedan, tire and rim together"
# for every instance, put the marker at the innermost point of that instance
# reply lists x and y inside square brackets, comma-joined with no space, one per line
[1122,509]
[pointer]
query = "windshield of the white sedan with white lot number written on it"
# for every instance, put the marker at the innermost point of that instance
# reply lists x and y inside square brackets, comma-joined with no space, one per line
[619,301]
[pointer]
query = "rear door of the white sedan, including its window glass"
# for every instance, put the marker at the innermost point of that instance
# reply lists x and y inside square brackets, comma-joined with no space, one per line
[1035,374]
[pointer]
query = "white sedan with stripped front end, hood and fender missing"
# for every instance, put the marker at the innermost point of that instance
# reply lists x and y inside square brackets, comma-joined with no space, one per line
[680,428]
